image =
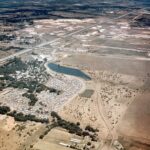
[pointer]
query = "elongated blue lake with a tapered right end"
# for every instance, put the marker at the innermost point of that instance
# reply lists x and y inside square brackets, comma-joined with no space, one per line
[69,71]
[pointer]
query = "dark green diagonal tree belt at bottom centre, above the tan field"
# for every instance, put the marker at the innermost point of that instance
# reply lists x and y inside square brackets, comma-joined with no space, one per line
[74,128]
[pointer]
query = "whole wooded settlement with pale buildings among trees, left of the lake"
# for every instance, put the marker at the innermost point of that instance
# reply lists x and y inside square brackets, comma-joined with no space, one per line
[35,71]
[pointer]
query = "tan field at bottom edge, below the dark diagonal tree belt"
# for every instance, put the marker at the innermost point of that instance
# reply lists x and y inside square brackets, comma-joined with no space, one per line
[57,137]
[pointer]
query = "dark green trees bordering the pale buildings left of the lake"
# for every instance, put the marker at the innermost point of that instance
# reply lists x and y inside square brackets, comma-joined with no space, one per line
[7,80]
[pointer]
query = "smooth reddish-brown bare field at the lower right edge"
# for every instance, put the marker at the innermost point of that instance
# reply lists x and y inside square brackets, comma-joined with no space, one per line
[136,121]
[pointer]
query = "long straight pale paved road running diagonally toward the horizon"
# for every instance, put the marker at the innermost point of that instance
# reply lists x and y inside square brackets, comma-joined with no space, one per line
[58,39]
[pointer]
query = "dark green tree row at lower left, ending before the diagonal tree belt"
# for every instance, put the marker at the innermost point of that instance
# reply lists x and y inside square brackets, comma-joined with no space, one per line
[23,118]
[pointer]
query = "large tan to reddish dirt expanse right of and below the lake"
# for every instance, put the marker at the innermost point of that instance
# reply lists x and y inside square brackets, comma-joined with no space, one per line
[118,93]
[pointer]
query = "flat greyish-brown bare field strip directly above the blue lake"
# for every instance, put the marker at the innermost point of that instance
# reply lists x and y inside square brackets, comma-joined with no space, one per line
[124,65]
